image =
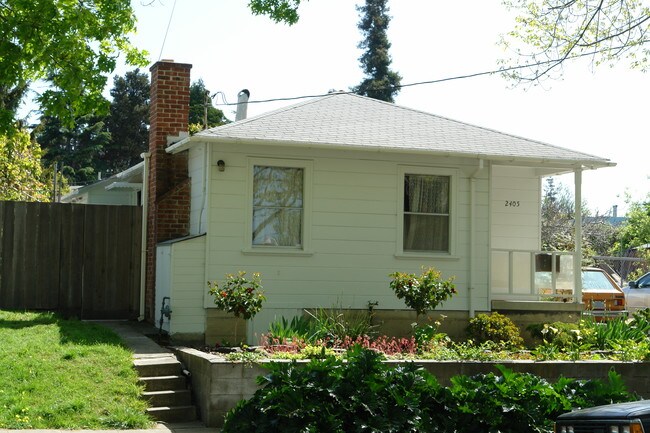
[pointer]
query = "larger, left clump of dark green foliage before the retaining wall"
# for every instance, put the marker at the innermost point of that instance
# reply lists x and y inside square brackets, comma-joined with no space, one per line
[331,395]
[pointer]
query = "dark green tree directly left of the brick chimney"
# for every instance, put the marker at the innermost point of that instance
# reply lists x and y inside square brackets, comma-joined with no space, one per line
[127,122]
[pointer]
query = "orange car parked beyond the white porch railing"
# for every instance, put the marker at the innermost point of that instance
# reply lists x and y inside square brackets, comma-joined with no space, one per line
[602,296]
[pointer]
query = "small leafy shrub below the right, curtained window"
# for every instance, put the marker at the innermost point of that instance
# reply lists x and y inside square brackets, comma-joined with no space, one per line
[423,293]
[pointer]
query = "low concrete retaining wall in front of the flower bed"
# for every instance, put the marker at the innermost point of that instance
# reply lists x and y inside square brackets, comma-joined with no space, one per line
[217,385]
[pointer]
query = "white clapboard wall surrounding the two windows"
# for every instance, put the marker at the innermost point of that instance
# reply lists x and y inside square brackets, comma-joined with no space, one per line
[353,220]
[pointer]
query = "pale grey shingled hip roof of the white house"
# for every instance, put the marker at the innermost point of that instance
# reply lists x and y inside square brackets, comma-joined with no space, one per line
[344,120]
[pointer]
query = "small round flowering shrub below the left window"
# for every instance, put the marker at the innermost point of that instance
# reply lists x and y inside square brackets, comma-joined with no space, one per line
[238,295]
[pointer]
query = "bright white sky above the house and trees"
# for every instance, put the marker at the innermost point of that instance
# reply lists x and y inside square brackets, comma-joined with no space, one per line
[601,112]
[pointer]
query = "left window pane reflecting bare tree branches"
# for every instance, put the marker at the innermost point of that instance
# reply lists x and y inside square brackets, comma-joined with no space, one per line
[278,206]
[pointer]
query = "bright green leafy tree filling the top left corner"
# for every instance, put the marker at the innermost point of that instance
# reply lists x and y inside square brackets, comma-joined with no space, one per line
[70,45]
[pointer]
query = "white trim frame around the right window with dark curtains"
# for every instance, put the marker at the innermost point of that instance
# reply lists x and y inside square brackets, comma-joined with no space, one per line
[403,170]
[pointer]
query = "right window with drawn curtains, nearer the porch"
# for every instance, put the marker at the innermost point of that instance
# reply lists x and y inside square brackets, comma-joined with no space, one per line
[426,213]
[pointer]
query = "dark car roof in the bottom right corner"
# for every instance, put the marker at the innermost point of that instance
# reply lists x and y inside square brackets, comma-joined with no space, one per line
[632,417]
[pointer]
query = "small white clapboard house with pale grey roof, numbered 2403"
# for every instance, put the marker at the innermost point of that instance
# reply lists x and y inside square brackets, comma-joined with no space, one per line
[325,198]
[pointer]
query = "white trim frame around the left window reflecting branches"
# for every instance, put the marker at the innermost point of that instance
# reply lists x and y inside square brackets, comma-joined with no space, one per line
[305,250]
